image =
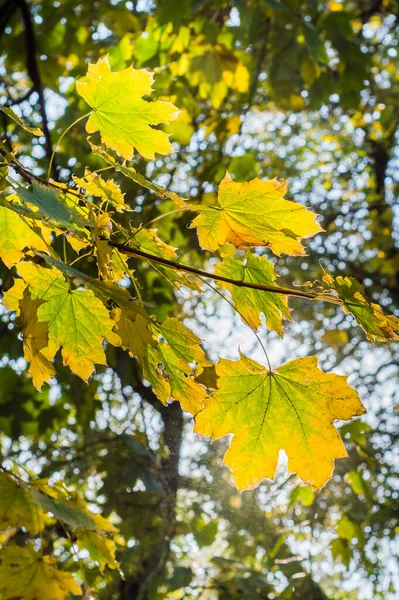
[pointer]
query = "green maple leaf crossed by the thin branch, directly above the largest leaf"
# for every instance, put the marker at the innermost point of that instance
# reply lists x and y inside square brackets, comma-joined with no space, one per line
[252,303]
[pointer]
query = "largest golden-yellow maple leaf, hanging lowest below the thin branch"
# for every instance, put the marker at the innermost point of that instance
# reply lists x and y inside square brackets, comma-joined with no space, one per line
[291,409]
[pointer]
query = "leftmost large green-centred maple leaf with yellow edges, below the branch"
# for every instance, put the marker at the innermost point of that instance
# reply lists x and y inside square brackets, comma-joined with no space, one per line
[77,320]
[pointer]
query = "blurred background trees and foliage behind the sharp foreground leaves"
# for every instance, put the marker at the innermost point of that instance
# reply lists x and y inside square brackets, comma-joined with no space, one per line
[304,90]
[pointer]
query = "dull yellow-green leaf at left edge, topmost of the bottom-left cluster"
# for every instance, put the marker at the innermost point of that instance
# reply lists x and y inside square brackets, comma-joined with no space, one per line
[17,508]
